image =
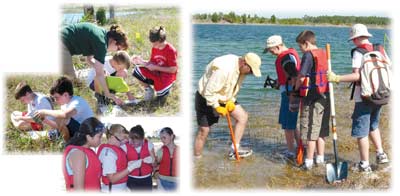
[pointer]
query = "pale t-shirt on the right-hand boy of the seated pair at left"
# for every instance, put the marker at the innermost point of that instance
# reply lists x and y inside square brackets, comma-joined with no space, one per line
[83,110]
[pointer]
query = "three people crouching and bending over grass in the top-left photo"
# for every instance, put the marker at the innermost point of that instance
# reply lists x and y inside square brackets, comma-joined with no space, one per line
[94,42]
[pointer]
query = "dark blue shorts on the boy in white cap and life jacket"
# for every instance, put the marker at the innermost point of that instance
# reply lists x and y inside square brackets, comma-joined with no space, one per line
[287,119]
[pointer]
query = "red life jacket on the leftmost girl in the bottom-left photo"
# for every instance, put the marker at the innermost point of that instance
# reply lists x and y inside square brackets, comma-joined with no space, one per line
[92,172]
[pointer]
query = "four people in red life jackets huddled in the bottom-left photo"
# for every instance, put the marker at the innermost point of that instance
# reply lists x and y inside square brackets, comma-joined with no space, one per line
[127,161]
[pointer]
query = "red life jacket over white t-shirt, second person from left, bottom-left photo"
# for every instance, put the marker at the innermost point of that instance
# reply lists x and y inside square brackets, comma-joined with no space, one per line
[121,163]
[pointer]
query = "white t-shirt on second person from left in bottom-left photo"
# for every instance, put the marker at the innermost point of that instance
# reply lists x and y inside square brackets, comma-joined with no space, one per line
[108,158]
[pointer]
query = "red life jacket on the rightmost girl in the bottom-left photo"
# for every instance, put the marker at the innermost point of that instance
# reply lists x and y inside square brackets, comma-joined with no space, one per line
[168,163]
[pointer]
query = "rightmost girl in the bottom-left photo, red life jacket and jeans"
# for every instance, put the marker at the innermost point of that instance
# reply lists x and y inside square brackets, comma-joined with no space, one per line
[167,158]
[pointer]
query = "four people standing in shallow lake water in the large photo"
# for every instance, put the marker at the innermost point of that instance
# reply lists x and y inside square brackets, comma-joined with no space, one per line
[304,88]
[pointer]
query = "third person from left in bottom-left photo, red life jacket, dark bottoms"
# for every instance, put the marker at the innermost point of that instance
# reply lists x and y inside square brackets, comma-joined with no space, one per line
[142,150]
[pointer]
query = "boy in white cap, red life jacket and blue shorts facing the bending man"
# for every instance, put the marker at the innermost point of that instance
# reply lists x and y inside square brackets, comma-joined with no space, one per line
[287,65]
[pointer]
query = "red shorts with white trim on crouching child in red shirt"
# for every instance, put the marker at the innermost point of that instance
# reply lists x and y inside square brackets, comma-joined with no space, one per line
[162,82]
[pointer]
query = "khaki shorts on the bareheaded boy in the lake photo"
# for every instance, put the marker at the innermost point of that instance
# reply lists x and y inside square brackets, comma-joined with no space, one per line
[314,119]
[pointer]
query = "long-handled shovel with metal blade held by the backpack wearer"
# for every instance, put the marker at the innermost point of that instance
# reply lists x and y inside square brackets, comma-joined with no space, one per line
[335,172]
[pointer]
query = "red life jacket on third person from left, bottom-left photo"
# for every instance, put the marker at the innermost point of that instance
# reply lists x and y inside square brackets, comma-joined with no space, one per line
[132,155]
